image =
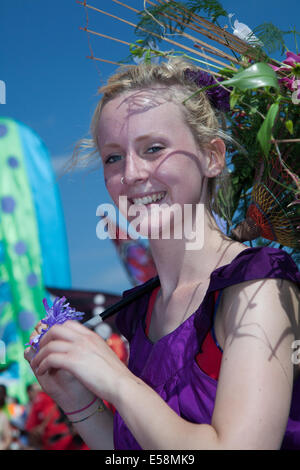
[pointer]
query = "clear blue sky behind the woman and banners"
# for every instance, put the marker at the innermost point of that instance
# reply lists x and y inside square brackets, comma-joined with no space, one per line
[52,87]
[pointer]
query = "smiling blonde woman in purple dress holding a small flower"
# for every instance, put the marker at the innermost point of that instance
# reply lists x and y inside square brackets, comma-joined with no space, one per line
[210,347]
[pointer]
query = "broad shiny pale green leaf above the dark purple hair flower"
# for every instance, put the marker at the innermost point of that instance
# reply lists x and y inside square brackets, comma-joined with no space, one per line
[256,76]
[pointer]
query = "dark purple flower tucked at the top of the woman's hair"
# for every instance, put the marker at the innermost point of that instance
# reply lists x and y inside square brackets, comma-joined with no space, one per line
[217,95]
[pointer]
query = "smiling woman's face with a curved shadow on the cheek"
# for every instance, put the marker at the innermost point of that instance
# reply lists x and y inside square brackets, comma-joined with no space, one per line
[143,138]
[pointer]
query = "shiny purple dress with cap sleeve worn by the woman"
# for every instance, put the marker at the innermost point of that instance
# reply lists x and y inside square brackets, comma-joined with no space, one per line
[169,365]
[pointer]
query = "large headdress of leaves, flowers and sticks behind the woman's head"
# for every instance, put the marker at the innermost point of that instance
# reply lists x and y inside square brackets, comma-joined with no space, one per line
[261,98]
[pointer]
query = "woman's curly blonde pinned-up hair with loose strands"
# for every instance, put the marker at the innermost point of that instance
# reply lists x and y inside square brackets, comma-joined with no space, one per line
[205,122]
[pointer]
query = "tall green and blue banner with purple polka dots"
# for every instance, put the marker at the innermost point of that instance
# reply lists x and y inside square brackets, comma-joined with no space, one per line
[31,218]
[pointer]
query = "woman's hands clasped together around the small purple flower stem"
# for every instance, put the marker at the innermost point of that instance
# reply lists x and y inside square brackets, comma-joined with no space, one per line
[72,361]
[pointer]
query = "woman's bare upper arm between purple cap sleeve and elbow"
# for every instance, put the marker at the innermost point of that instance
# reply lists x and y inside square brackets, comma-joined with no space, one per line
[261,321]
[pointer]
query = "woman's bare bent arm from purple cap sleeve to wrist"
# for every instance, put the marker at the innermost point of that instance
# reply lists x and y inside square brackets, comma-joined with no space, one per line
[255,384]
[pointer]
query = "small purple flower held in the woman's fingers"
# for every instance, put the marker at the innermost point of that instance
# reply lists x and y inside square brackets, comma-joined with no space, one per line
[59,313]
